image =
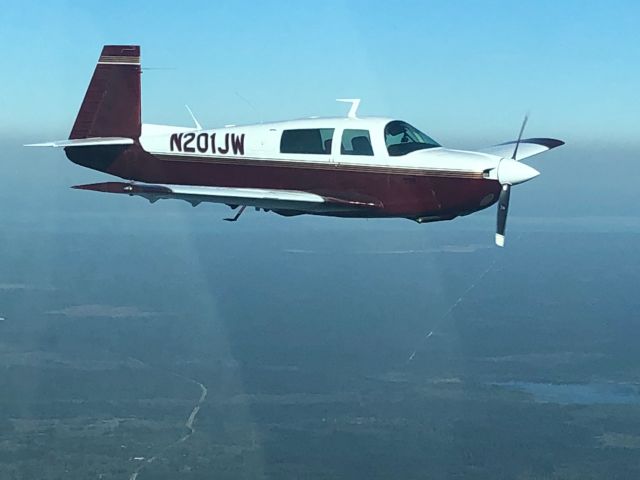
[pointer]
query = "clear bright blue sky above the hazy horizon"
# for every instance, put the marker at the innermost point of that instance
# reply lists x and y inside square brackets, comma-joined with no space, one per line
[463,71]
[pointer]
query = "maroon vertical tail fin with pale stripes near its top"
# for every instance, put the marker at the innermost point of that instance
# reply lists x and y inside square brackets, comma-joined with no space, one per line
[111,106]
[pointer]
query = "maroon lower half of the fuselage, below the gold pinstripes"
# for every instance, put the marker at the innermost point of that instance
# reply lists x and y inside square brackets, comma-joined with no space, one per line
[403,192]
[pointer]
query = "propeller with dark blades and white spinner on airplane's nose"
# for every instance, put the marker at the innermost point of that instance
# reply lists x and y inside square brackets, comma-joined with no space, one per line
[510,172]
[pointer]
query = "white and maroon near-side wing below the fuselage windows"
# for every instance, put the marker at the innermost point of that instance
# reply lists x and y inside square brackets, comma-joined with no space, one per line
[251,197]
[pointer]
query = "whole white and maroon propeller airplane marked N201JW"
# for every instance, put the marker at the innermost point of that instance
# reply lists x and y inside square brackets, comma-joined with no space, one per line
[358,167]
